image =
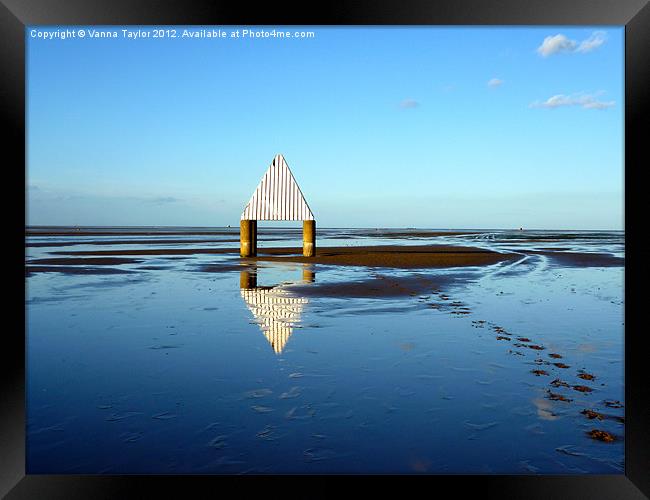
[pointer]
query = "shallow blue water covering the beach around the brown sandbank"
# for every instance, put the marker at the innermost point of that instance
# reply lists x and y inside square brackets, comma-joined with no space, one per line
[196,364]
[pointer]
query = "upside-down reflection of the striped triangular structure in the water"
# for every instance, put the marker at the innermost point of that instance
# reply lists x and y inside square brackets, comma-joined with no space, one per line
[276,310]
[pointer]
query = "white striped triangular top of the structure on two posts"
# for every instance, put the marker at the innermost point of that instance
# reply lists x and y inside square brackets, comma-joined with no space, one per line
[277,196]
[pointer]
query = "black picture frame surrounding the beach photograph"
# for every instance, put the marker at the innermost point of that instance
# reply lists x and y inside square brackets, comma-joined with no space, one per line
[633,14]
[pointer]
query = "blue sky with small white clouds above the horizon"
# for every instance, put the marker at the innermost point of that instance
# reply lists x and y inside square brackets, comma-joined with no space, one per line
[427,127]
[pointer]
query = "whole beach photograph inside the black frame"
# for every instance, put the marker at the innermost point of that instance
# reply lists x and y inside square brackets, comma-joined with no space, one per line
[311,249]
